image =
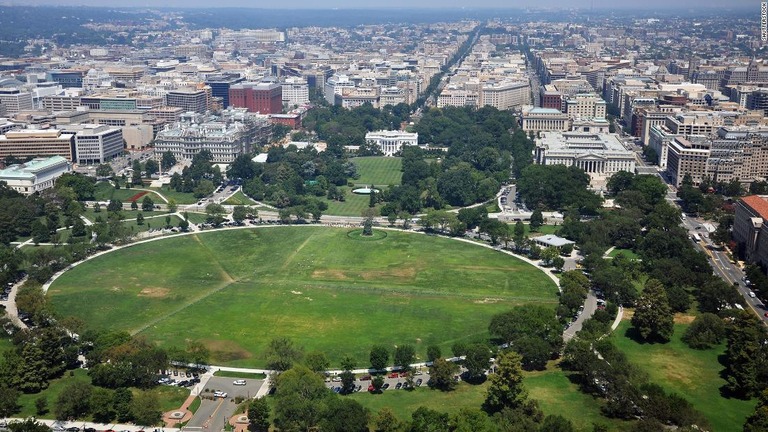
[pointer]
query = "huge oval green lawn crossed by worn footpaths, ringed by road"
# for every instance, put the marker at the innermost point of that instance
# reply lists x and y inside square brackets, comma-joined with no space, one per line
[318,286]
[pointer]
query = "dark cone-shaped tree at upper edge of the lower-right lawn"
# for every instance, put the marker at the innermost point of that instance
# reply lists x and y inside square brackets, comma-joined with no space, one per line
[653,318]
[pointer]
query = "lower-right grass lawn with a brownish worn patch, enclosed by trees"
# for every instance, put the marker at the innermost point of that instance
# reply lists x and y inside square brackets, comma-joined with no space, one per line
[693,374]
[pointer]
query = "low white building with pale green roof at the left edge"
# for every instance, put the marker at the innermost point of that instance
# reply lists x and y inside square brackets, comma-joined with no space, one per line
[36,175]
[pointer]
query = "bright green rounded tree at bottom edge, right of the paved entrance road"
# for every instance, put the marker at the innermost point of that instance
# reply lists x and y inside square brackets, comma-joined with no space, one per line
[299,398]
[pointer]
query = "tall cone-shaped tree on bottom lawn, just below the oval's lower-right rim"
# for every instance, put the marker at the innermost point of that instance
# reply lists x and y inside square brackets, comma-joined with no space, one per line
[506,389]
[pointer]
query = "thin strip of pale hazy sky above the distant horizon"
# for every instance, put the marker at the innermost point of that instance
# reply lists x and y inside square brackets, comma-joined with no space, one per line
[357,4]
